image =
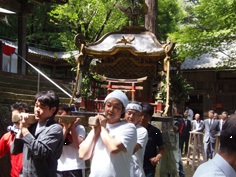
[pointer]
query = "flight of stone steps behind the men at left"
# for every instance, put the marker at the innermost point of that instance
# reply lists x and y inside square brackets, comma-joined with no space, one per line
[15,87]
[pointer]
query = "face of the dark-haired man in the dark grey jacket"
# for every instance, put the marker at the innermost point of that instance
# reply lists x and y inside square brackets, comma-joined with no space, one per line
[43,112]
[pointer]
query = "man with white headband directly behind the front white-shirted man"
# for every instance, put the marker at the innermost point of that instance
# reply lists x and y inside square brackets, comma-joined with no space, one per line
[133,115]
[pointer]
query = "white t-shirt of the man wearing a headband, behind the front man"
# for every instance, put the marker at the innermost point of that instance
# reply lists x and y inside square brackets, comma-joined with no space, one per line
[136,165]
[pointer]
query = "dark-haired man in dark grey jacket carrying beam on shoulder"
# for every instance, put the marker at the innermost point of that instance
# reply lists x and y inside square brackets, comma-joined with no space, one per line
[42,141]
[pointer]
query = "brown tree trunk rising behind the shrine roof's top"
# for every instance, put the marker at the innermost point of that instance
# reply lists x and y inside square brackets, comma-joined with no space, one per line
[151,17]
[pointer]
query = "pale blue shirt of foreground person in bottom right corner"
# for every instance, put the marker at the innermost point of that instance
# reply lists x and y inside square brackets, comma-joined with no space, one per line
[217,167]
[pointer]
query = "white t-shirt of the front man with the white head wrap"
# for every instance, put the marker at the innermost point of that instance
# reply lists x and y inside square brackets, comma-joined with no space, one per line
[106,164]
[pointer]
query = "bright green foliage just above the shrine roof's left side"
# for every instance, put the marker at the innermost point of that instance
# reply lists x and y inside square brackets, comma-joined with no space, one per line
[94,18]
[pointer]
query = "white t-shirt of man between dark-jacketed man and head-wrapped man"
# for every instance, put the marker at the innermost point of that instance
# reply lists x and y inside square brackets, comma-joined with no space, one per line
[69,159]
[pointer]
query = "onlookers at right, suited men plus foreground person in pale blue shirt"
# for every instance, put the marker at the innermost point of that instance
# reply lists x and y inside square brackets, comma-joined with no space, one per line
[222,162]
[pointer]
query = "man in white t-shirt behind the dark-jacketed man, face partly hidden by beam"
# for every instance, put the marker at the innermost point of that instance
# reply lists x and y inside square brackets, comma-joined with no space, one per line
[69,163]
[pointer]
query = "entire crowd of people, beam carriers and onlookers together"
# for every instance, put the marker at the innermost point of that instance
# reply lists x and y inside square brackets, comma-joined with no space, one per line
[124,143]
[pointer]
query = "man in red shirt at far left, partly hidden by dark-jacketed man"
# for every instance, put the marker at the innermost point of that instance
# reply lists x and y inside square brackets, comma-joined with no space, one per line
[7,139]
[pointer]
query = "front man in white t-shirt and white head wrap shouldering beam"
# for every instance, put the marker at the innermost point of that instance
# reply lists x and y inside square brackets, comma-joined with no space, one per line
[110,144]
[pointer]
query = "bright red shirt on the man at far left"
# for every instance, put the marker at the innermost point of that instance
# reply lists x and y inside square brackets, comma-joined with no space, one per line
[16,160]
